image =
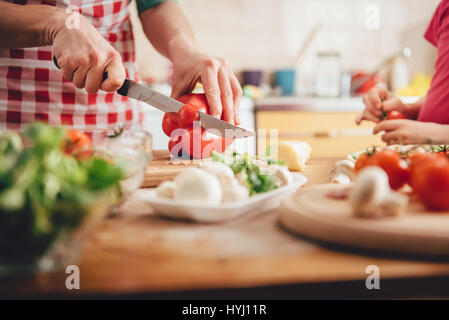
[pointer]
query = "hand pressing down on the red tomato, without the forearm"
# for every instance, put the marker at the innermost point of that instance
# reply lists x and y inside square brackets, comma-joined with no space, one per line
[221,87]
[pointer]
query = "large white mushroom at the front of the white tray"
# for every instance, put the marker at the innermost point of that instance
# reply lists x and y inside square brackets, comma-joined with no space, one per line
[197,185]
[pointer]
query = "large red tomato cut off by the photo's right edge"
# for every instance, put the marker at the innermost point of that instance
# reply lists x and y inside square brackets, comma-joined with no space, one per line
[431,183]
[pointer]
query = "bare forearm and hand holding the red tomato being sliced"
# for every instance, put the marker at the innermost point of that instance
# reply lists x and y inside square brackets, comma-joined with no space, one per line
[170,33]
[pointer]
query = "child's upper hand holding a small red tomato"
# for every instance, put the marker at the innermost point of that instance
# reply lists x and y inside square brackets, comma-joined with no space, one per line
[378,100]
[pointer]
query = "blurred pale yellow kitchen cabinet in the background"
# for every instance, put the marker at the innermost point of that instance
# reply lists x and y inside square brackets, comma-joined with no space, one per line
[330,131]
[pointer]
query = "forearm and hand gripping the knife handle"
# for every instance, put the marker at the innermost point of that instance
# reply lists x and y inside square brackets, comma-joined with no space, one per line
[83,54]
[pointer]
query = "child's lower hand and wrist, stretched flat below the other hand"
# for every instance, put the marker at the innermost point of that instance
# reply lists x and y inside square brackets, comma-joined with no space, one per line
[412,132]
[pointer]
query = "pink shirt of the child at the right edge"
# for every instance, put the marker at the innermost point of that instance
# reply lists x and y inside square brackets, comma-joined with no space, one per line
[436,105]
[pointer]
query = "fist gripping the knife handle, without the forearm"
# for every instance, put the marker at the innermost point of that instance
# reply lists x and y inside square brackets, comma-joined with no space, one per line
[84,55]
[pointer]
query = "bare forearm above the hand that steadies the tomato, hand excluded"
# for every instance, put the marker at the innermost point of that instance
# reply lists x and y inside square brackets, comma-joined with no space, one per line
[167,29]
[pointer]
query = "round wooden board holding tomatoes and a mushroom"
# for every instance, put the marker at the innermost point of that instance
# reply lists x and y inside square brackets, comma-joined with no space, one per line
[311,213]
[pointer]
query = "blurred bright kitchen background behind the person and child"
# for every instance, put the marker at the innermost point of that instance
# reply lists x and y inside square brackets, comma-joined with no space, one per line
[303,64]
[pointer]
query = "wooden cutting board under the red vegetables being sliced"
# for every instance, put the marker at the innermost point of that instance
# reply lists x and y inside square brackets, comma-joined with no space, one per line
[162,168]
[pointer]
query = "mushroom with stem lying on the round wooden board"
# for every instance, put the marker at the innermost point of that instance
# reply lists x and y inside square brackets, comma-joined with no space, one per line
[371,196]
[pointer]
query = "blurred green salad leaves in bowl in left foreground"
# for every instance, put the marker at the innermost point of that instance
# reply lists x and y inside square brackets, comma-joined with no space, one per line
[44,192]
